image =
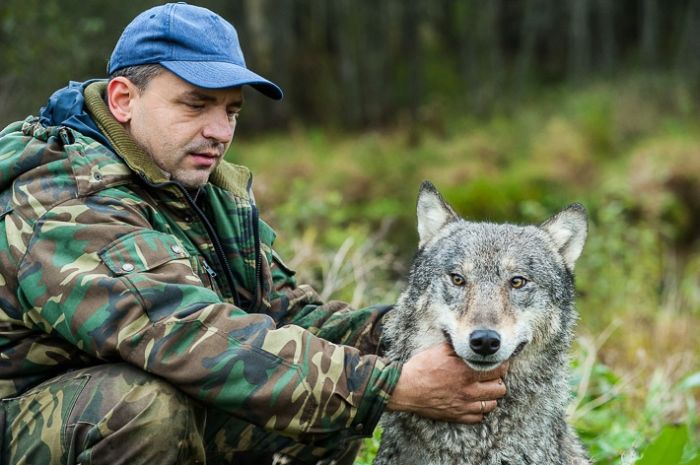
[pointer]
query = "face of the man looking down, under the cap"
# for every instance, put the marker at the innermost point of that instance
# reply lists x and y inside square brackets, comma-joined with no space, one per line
[185,129]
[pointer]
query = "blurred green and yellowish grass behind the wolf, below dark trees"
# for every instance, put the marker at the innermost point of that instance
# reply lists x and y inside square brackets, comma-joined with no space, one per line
[627,149]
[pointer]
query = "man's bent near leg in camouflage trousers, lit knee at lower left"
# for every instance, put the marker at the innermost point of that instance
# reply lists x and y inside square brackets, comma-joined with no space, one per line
[104,414]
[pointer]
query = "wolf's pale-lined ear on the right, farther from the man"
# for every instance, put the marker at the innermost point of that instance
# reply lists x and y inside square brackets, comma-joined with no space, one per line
[568,229]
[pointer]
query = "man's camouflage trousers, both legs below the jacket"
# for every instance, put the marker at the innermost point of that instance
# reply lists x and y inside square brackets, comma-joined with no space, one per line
[117,414]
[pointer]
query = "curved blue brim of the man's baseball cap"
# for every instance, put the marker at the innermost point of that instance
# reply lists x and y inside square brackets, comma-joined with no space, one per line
[220,75]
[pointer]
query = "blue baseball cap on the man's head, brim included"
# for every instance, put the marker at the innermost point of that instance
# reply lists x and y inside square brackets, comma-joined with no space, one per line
[194,43]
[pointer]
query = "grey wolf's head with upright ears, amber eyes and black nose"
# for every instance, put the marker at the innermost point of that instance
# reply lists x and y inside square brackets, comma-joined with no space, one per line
[493,290]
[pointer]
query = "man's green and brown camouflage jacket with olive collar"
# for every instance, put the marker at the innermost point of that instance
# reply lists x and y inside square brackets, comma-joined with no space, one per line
[103,259]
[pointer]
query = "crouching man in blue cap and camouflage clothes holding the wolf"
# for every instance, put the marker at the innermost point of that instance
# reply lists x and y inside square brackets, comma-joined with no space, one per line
[144,315]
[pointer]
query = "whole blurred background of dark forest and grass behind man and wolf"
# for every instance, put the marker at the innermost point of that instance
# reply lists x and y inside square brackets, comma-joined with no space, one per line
[513,109]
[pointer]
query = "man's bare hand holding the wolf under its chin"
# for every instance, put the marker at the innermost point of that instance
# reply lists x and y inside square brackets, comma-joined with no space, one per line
[437,384]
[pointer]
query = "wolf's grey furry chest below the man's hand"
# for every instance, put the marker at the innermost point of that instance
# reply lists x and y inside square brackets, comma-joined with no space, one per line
[522,430]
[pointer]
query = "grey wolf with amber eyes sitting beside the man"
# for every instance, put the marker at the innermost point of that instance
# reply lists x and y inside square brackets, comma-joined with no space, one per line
[496,293]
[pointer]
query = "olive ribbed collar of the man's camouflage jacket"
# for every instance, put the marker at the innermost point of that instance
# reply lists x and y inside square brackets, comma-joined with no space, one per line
[233,178]
